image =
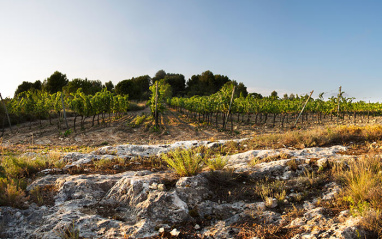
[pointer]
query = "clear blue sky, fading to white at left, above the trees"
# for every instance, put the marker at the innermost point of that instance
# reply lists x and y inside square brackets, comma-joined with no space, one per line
[288,46]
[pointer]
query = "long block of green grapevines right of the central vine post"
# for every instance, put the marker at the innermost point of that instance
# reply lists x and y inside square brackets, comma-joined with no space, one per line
[210,108]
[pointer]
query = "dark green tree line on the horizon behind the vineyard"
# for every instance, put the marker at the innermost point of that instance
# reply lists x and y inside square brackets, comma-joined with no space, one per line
[138,88]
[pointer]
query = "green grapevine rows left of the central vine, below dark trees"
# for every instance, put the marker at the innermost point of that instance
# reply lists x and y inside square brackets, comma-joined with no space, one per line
[41,105]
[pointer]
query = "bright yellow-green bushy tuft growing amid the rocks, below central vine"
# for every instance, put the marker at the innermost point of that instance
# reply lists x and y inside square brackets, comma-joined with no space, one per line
[184,162]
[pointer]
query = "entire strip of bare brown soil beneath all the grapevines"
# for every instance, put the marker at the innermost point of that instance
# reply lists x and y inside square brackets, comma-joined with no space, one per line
[174,127]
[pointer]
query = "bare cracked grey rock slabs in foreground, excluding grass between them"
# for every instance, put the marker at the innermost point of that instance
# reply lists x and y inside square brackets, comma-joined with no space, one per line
[140,204]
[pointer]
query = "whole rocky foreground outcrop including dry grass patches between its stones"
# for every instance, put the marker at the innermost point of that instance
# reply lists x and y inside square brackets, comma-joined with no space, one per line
[279,197]
